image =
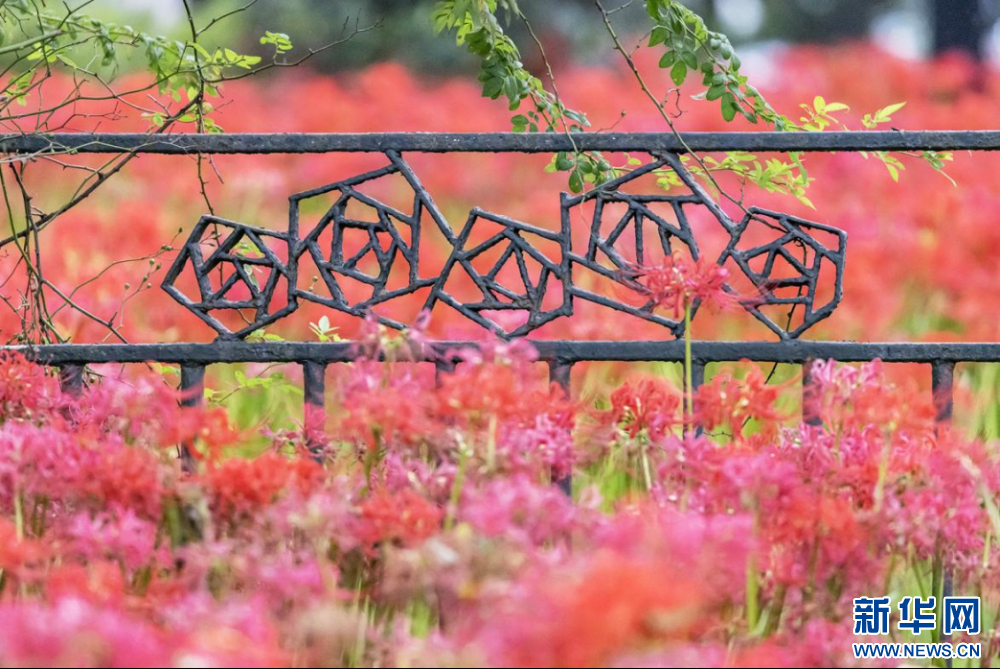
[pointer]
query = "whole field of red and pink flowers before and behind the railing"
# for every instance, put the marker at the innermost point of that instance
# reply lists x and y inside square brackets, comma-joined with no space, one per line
[718,529]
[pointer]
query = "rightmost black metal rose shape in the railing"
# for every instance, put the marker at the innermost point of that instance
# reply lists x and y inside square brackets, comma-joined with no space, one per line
[784,258]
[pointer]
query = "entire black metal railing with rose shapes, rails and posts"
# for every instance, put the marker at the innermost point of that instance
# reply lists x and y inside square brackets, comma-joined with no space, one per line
[278,252]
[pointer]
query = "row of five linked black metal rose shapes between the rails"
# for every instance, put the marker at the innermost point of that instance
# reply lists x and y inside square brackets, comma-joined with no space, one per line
[242,273]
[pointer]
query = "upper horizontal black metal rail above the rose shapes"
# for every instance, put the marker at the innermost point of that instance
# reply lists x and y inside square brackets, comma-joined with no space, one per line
[255,143]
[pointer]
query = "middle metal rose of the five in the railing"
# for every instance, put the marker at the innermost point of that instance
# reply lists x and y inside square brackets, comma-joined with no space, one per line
[521,288]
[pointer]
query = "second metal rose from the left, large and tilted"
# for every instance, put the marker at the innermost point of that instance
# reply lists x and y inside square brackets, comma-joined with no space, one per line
[369,242]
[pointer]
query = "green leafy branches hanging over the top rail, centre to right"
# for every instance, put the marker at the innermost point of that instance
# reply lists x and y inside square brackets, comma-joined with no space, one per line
[689,49]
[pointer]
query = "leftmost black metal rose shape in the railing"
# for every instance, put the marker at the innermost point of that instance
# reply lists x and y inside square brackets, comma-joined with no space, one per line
[238,276]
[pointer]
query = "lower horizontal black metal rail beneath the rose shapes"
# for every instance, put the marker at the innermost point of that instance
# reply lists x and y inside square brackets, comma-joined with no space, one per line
[797,351]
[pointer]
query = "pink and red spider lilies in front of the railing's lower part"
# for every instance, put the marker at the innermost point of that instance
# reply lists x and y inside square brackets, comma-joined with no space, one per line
[429,531]
